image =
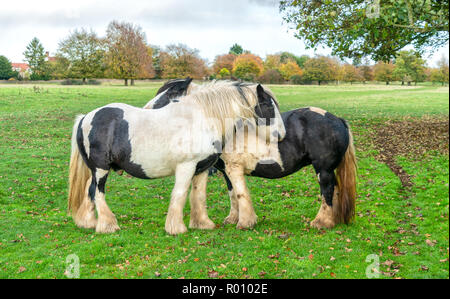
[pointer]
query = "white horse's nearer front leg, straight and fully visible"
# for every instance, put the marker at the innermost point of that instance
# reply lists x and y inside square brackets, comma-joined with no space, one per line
[183,177]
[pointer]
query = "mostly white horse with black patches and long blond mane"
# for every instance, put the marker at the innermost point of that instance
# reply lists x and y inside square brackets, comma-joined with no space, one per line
[182,139]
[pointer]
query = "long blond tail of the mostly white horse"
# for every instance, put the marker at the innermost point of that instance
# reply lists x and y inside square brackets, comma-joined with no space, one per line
[79,173]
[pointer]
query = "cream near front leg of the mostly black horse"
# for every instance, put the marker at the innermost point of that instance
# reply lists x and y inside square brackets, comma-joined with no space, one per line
[247,216]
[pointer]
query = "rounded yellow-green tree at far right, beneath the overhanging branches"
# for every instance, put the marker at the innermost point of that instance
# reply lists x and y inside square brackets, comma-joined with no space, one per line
[409,66]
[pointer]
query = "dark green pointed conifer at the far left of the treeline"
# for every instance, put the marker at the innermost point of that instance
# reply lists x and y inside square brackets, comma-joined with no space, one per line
[35,57]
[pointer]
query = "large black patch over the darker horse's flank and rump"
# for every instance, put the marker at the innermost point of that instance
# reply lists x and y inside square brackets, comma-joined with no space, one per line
[311,138]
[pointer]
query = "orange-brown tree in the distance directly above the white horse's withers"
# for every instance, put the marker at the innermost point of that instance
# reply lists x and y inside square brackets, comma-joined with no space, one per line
[181,61]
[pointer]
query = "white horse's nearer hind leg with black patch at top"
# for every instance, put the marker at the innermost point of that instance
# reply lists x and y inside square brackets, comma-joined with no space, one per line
[106,222]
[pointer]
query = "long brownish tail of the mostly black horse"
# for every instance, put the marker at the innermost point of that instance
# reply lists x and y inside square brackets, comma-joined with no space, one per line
[346,178]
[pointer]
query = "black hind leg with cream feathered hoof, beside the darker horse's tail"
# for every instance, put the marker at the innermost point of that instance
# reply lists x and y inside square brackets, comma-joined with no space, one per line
[325,218]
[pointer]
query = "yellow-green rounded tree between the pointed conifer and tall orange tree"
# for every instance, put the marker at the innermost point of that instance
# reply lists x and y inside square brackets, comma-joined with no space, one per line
[84,51]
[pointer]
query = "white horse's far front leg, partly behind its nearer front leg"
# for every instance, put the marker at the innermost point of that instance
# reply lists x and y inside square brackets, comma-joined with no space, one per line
[199,215]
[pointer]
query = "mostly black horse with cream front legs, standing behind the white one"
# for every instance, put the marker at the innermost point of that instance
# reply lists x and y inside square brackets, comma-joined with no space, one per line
[313,137]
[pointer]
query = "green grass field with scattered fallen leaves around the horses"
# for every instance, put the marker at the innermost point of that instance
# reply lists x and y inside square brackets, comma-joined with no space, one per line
[402,207]
